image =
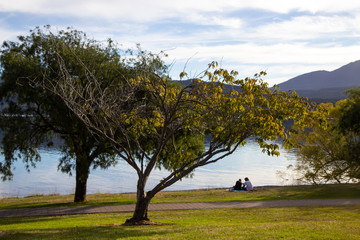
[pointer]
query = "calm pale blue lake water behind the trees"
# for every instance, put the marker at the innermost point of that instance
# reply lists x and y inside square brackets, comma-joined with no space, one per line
[247,161]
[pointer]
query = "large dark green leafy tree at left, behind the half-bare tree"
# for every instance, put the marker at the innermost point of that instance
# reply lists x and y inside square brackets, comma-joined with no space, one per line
[32,116]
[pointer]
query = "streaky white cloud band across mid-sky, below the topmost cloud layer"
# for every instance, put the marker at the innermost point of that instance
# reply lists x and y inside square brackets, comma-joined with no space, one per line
[321,29]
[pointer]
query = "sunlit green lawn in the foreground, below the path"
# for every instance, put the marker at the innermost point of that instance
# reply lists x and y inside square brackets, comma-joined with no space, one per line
[253,223]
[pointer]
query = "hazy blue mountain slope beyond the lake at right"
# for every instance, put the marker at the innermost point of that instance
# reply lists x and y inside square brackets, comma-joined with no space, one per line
[325,86]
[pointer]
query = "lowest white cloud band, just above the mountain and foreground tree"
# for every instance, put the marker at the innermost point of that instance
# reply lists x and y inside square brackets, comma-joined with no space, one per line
[281,61]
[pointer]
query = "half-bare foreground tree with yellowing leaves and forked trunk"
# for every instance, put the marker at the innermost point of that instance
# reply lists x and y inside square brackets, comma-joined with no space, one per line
[144,118]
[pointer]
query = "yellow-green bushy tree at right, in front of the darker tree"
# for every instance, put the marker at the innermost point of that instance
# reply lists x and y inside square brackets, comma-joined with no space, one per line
[325,154]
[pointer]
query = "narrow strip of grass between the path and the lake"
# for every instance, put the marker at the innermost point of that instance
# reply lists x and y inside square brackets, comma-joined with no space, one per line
[211,195]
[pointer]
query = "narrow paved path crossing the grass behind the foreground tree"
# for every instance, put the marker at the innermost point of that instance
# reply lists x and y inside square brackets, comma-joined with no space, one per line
[173,206]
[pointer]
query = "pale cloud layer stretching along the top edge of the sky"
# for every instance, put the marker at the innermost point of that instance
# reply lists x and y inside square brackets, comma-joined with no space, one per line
[140,11]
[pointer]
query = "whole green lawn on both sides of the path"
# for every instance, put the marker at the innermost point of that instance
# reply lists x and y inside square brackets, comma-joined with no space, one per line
[337,222]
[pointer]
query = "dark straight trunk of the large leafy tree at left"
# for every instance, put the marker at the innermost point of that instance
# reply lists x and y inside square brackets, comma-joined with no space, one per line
[82,174]
